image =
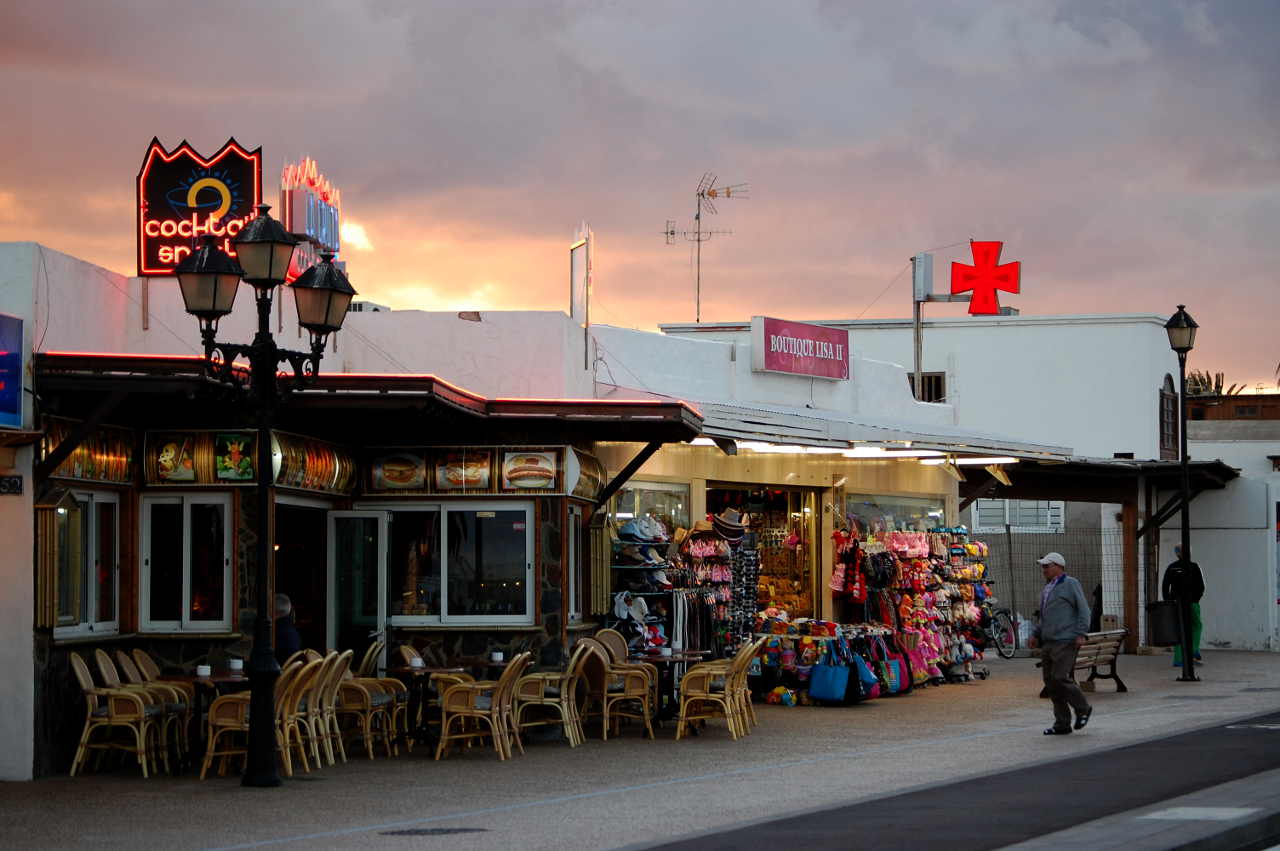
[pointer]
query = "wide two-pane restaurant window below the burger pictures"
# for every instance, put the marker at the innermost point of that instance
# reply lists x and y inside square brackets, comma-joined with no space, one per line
[461,564]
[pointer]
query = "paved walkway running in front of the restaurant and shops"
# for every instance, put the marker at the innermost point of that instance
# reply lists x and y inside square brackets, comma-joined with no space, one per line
[632,791]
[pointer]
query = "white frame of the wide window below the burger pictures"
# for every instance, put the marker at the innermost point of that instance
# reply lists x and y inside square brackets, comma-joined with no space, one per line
[445,619]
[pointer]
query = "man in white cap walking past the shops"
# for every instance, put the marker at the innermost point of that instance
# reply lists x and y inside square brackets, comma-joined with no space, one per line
[1063,625]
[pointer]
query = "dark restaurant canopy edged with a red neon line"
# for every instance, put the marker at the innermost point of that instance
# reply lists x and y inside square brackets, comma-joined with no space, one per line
[170,392]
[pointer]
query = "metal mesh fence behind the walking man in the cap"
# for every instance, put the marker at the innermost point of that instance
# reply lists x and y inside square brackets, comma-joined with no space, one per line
[1094,557]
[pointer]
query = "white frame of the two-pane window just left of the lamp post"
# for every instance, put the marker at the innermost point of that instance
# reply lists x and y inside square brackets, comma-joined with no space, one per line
[186,624]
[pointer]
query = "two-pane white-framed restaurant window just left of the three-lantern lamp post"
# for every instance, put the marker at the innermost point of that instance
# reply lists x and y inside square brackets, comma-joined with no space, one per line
[186,571]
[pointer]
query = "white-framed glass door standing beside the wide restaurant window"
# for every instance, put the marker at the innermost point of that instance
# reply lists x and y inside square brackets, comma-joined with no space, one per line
[358,580]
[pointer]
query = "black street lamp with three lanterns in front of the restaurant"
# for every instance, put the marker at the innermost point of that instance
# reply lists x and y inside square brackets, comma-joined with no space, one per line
[209,280]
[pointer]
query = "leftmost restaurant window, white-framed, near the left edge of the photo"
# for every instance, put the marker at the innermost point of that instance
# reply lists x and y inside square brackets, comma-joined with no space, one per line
[88,565]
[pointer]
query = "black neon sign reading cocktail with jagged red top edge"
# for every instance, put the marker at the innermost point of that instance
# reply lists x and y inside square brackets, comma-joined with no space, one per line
[182,196]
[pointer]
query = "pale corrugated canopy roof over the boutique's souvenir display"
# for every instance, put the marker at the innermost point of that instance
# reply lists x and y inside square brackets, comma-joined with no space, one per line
[835,431]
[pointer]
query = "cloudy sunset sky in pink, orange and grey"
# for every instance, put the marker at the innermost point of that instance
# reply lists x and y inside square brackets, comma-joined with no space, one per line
[1127,153]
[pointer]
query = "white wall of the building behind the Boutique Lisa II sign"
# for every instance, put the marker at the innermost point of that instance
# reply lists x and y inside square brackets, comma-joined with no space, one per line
[1091,383]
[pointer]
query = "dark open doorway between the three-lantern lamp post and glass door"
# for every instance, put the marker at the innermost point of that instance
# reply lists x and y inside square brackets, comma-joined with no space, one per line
[301,569]
